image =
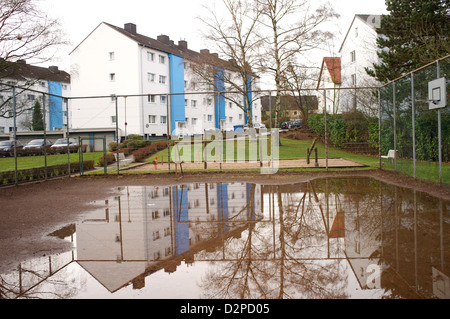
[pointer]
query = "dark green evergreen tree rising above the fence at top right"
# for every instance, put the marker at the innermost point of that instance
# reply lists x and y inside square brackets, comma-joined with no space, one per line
[416,32]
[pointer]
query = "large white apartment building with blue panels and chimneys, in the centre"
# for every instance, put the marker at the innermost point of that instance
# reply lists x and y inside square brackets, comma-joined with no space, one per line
[153,83]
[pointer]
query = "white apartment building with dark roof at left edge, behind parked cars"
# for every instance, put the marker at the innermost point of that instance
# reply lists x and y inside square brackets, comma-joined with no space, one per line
[32,83]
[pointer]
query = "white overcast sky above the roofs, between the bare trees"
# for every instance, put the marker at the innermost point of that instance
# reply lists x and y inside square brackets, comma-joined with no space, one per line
[176,18]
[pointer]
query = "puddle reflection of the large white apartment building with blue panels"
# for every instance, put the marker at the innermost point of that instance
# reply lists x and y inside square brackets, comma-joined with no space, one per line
[144,229]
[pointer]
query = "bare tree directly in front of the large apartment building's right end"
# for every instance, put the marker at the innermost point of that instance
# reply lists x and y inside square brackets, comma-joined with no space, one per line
[234,34]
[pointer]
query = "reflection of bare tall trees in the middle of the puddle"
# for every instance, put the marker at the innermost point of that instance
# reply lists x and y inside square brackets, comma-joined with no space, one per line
[275,261]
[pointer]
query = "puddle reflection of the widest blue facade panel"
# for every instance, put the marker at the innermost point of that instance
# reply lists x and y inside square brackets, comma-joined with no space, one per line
[180,203]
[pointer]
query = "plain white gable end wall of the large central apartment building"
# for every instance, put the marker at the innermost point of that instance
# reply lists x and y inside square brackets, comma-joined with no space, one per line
[91,67]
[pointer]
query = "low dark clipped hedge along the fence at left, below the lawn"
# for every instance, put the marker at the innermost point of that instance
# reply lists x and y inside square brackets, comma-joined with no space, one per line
[39,172]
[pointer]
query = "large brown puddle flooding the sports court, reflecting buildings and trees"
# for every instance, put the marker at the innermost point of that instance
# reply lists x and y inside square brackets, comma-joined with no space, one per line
[327,238]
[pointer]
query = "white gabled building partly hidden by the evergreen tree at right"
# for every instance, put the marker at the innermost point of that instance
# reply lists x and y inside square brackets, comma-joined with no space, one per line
[357,52]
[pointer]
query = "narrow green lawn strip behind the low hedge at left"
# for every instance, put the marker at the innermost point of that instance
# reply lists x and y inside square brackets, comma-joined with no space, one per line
[26,162]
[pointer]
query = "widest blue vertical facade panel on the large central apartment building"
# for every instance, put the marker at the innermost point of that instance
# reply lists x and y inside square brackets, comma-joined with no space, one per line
[177,86]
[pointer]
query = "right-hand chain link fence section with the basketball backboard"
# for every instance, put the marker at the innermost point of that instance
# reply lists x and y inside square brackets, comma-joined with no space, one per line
[414,139]
